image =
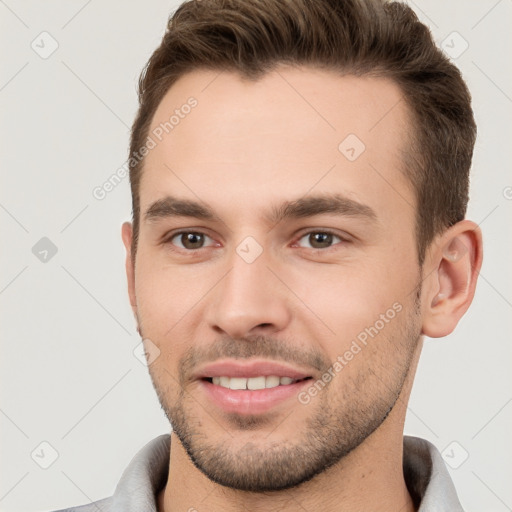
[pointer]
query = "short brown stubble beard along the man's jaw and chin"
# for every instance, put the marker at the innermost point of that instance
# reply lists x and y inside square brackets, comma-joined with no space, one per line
[333,430]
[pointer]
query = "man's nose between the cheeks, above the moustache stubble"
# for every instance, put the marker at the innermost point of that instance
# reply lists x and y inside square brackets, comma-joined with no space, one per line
[249,300]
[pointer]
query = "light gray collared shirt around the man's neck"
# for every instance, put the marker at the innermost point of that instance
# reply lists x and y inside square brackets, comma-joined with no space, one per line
[425,474]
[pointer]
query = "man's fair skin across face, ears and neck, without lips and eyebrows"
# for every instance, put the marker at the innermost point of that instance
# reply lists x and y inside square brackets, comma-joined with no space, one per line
[246,147]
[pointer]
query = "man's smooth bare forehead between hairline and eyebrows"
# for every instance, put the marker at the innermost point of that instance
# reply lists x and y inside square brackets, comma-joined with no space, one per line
[219,136]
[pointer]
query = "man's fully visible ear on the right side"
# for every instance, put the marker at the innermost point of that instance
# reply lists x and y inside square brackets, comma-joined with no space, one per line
[452,266]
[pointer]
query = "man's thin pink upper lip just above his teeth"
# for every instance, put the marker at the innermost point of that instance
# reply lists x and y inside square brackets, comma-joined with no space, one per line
[233,368]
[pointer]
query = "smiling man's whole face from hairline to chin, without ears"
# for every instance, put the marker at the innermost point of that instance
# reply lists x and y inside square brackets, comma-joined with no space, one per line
[257,284]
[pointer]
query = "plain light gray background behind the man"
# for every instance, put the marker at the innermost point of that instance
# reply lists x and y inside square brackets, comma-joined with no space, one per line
[69,375]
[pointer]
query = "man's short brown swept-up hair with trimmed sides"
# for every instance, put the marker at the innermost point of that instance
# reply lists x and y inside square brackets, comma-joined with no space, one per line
[357,37]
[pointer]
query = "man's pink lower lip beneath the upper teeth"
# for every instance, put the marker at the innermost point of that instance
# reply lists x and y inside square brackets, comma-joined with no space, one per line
[251,402]
